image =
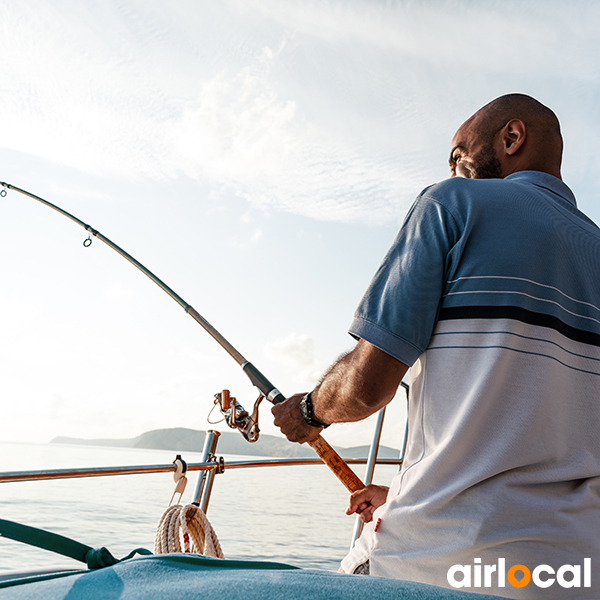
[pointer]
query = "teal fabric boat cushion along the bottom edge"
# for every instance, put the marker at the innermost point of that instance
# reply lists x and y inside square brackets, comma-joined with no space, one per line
[187,576]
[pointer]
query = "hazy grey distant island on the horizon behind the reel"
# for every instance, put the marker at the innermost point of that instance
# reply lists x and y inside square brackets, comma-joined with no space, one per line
[182,439]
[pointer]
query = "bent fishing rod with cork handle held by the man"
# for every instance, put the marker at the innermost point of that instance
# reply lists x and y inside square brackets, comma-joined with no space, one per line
[329,456]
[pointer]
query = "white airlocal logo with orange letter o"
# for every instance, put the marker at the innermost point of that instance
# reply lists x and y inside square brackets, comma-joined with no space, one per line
[543,576]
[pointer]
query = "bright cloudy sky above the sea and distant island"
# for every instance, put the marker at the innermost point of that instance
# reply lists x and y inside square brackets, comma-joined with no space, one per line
[259,157]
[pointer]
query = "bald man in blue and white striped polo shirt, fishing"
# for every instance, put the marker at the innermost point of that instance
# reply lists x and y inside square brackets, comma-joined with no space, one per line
[491,295]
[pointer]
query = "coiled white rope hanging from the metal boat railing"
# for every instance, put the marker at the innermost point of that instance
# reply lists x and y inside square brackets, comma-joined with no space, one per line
[190,524]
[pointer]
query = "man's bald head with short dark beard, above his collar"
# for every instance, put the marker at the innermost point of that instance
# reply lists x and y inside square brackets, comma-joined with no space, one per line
[512,133]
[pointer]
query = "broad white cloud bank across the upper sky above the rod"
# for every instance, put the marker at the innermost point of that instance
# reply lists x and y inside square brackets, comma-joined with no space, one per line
[332,110]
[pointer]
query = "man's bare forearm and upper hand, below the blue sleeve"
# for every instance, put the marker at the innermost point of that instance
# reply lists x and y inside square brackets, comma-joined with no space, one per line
[357,385]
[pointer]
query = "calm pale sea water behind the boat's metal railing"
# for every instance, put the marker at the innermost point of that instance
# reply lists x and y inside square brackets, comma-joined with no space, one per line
[292,514]
